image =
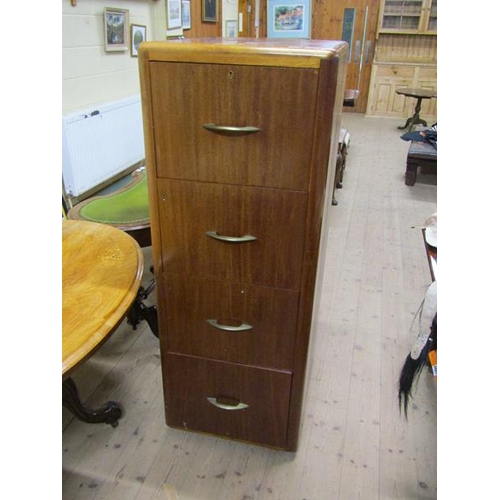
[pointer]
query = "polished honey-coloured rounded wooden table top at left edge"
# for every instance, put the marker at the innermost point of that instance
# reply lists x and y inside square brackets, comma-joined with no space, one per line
[101,274]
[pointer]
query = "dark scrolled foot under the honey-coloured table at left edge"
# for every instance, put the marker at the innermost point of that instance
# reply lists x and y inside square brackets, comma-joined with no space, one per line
[109,413]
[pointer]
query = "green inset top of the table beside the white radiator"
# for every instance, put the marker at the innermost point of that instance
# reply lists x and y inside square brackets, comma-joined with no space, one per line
[127,206]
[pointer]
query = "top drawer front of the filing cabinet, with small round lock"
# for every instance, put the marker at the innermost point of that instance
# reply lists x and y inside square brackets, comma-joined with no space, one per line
[280,102]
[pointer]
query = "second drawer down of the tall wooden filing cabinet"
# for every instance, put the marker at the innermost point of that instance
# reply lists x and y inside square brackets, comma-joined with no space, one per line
[276,218]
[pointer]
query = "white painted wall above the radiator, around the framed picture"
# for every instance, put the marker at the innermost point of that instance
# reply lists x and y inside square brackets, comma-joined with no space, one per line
[89,74]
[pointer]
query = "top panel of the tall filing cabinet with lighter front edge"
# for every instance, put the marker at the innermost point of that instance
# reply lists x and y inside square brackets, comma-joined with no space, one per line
[244,50]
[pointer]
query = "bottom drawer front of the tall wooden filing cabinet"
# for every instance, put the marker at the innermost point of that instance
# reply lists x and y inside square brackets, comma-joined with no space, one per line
[262,397]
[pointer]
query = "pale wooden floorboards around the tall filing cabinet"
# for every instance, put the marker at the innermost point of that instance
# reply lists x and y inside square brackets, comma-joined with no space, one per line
[354,443]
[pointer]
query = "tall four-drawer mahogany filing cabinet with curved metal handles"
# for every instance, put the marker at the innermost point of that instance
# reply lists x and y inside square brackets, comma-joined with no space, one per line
[241,140]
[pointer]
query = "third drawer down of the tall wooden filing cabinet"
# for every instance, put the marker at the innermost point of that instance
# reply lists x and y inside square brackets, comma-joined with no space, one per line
[230,321]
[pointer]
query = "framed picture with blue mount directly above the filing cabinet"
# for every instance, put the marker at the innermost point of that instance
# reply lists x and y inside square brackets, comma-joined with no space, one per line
[286,19]
